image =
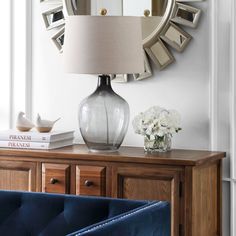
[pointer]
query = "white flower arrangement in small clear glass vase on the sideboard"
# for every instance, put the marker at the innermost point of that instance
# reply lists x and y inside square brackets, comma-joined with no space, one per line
[157,125]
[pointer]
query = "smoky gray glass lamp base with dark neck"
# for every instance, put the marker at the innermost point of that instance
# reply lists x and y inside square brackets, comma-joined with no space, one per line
[103,118]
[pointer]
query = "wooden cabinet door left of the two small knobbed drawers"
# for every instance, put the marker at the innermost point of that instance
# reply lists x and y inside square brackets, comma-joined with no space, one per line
[17,175]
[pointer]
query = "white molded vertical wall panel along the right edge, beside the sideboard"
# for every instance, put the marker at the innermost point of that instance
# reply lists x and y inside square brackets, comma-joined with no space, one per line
[221,92]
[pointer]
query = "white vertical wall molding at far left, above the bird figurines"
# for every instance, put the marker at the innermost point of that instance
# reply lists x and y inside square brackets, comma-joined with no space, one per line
[21,60]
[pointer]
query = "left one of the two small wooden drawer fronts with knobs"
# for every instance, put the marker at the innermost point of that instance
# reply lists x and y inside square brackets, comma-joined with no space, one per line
[55,178]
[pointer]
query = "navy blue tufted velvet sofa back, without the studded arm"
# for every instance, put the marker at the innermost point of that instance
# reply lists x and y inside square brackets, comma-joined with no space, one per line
[38,214]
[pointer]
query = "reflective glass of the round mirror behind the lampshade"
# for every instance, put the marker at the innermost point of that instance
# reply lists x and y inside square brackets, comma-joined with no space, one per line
[152,11]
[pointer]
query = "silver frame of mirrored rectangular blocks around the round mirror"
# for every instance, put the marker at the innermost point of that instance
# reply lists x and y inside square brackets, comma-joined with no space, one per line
[157,46]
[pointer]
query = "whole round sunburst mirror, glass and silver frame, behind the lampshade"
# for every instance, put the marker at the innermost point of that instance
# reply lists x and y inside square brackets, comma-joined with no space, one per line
[161,25]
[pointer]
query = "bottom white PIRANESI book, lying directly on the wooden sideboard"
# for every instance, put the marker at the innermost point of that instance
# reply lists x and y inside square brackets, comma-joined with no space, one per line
[35,145]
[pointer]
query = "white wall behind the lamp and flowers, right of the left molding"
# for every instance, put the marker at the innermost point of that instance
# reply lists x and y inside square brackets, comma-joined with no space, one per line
[198,85]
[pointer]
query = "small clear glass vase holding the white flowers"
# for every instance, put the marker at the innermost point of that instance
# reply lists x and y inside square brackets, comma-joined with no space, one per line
[157,143]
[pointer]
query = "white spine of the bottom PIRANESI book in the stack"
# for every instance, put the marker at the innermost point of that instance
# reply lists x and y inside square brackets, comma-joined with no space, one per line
[24,145]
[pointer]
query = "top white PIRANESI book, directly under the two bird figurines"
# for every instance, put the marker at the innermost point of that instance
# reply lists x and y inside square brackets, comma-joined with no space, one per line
[34,136]
